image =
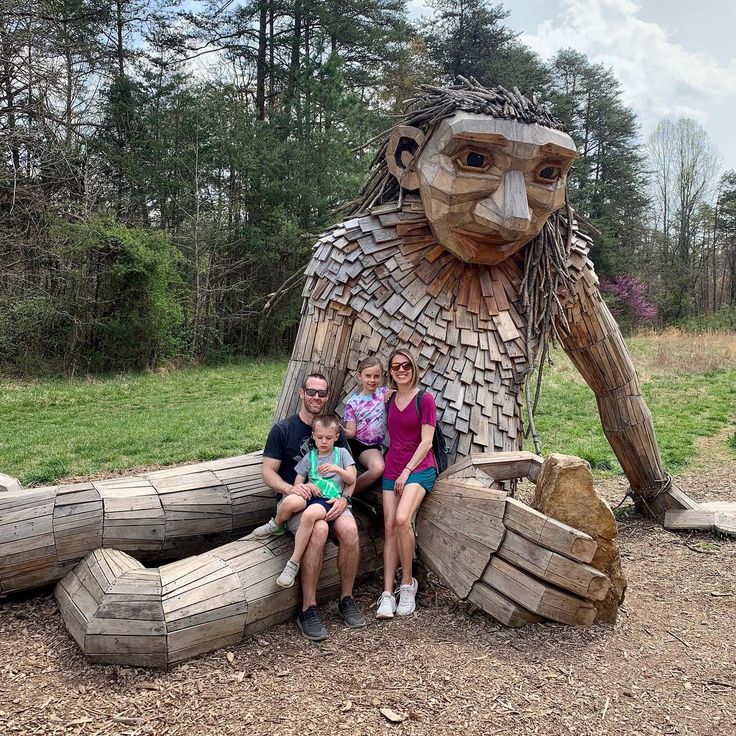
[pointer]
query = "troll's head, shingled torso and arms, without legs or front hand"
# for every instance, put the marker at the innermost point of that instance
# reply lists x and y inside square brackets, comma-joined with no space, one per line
[463,248]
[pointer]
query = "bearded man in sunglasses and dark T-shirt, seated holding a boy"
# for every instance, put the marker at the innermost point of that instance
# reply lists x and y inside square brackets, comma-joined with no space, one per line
[288,441]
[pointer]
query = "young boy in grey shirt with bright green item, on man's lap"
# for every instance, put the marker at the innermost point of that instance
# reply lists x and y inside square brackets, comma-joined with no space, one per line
[329,470]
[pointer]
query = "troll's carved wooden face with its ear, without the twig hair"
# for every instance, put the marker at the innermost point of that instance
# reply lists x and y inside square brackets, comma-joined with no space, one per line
[487,185]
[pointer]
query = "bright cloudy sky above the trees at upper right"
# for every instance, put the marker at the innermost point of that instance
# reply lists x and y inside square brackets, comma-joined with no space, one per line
[673,58]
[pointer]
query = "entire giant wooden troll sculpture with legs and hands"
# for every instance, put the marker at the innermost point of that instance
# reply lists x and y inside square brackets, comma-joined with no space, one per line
[462,247]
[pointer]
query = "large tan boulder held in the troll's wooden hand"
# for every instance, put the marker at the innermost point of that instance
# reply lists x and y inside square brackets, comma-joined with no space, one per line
[565,492]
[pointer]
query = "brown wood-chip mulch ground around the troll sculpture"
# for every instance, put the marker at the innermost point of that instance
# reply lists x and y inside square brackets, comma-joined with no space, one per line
[667,667]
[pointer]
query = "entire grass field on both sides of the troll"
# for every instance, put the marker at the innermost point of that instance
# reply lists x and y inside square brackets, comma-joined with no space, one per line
[53,430]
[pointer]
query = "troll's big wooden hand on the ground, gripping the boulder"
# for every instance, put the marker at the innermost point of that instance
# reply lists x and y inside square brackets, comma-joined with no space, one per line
[518,565]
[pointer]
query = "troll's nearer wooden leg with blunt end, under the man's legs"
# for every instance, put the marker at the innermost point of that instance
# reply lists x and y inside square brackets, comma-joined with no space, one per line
[119,612]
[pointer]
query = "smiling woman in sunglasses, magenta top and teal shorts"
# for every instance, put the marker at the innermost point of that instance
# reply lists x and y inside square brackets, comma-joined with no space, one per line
[409,475]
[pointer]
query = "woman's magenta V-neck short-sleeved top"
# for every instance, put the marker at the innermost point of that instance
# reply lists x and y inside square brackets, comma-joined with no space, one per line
[405,434]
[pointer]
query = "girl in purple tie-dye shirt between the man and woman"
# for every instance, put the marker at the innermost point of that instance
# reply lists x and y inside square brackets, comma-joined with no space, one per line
[365,421]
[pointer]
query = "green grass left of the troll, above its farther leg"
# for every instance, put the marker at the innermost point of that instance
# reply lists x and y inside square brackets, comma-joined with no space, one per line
[60,429]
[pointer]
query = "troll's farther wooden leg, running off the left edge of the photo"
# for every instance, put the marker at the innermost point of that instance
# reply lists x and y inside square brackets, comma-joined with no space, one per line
[45,532]
